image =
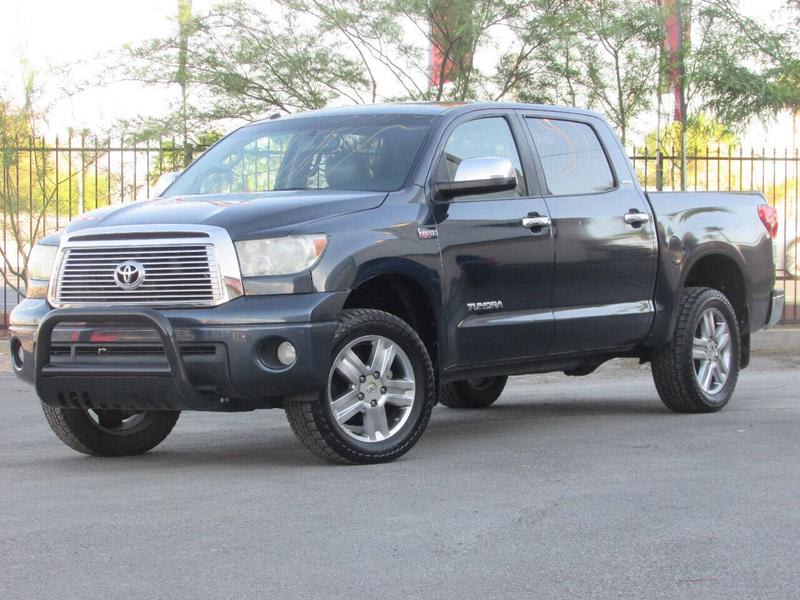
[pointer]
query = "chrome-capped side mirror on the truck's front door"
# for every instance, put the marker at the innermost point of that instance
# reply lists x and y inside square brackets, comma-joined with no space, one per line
[484,175]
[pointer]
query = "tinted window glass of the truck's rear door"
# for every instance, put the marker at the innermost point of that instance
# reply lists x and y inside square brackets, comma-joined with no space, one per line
[572,157]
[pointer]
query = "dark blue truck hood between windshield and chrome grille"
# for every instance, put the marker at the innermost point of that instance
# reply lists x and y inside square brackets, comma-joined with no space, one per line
[242,215]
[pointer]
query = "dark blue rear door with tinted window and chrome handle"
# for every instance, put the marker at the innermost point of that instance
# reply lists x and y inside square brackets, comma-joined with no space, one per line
[604,234]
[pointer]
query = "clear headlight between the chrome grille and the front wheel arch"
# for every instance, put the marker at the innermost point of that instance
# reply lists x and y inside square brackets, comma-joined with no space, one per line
[280,256]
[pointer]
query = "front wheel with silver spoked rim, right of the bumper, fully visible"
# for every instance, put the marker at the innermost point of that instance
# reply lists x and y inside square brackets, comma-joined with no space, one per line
[404,395]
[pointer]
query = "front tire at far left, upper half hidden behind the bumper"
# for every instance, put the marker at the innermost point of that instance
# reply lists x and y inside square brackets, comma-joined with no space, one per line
[110,432]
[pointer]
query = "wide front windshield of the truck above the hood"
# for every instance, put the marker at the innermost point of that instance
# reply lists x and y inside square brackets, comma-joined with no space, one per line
[359,152]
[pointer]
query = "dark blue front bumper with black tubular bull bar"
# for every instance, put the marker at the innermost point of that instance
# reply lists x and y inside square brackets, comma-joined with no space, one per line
[181,359]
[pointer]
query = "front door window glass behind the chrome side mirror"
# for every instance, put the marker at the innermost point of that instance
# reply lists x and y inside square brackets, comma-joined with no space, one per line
[480,138]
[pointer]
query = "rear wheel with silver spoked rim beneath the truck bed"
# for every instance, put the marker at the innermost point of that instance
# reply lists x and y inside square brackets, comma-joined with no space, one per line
[678,368]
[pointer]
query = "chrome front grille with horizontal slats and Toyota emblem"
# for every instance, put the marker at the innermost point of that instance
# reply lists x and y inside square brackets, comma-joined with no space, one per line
[172,274]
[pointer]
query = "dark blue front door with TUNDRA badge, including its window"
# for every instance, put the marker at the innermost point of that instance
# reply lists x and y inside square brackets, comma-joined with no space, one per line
[497,272]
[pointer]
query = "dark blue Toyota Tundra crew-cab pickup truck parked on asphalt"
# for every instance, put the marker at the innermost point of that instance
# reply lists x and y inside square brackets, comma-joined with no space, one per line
[355,266]
